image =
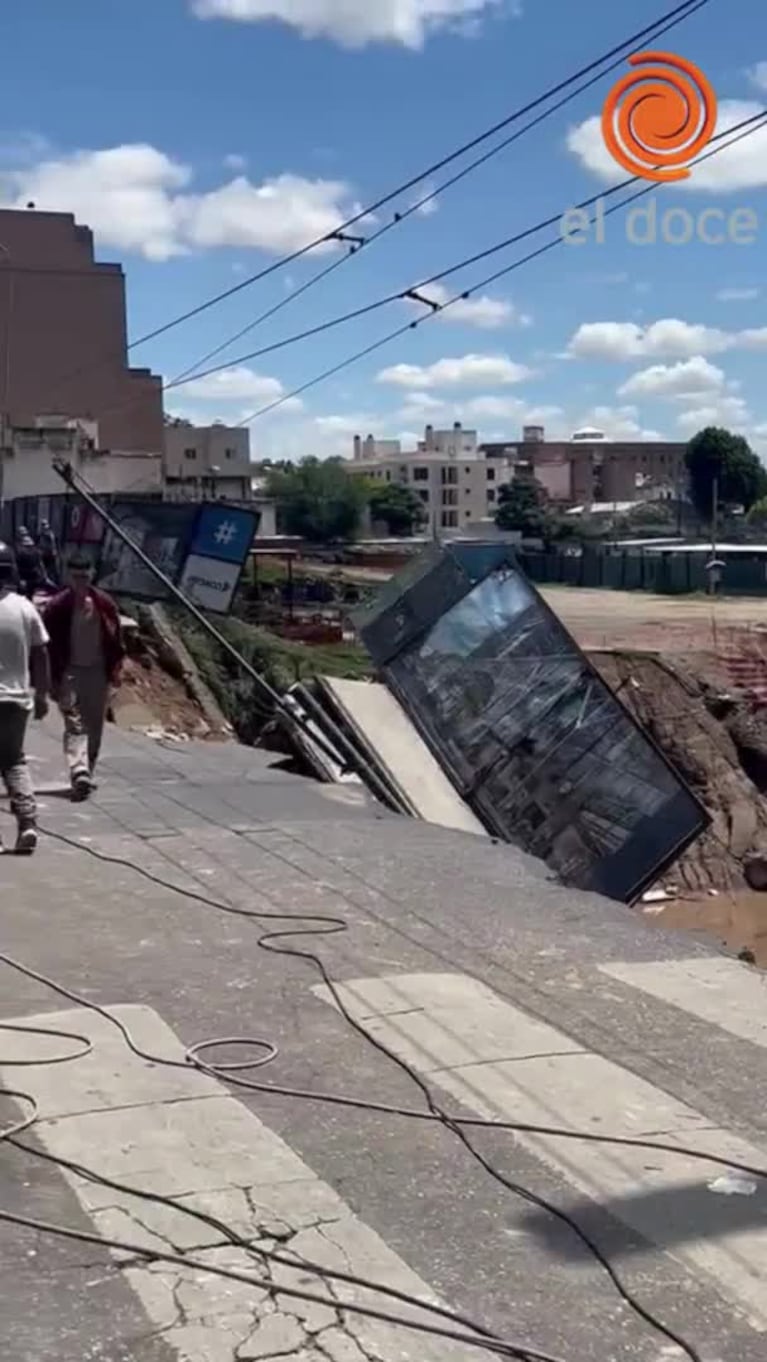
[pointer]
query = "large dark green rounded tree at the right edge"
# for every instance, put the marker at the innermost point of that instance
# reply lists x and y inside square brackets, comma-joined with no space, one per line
[719,457]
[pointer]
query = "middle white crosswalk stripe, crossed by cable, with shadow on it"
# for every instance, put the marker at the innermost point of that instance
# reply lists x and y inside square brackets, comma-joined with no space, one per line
[503,1064]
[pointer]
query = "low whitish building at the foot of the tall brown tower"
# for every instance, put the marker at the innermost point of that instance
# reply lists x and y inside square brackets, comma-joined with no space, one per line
[28,456]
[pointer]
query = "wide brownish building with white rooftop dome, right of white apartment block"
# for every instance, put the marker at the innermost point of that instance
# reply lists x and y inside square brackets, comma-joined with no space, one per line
[589,468]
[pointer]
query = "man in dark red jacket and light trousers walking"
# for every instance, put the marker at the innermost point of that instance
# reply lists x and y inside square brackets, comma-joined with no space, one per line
[87,654]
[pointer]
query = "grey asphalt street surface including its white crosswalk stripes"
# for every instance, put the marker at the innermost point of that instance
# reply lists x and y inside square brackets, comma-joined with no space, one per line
[509,996]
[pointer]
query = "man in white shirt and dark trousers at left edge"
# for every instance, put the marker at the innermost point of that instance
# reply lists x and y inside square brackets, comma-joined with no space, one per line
[25,683]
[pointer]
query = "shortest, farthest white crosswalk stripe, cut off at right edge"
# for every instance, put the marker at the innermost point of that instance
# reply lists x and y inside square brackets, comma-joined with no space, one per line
[719,991]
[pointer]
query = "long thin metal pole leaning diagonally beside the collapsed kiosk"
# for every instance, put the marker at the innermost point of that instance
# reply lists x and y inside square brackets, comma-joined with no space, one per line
[351,757]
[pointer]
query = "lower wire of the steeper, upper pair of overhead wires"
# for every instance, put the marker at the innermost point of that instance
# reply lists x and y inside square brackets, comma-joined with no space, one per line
[190,373]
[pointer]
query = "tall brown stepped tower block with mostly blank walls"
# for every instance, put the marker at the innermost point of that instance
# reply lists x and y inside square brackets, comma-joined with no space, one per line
[63,336]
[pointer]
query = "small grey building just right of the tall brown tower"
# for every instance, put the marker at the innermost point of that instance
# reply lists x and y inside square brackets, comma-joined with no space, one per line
[208,462]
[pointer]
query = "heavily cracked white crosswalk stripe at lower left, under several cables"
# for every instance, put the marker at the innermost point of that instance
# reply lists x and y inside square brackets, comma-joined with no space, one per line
[181,1134]
